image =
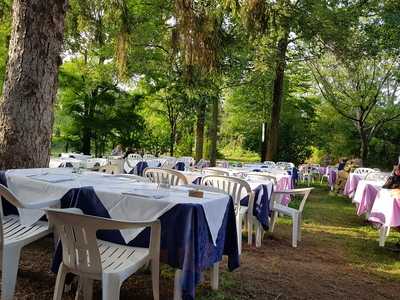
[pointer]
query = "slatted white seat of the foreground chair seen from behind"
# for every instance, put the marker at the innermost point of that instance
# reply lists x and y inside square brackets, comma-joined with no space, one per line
[119,259]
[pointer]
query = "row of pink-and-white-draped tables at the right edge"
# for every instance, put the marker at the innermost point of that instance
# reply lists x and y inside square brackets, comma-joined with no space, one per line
[380,206]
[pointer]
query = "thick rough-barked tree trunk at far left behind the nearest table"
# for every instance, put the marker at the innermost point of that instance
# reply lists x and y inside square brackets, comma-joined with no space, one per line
[26,109]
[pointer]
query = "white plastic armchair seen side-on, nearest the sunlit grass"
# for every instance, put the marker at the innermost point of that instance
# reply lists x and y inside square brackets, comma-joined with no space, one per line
[296,214]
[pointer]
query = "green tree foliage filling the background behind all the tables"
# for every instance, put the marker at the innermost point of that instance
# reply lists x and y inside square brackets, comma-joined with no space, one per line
[137,72]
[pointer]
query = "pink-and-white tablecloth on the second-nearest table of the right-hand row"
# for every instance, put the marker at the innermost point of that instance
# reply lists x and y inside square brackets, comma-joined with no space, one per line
[365,196]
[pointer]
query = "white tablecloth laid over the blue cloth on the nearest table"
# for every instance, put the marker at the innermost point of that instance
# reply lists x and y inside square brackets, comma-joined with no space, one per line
[124,198]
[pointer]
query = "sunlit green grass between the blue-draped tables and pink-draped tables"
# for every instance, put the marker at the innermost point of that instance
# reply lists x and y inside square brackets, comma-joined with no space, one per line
[332,218]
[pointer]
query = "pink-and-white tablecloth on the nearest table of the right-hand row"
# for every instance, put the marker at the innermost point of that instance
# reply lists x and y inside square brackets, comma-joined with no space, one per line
[386,209]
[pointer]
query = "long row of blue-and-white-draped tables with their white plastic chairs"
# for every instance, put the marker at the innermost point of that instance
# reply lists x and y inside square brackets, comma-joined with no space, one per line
[183,216]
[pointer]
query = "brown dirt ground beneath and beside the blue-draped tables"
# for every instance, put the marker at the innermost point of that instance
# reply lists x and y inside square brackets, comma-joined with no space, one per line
[319,268]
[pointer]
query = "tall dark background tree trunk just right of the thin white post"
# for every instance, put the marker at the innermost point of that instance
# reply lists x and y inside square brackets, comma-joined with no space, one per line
[273,132]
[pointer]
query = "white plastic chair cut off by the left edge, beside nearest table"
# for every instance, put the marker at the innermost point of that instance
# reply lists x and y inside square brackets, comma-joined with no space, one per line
[13,237]
